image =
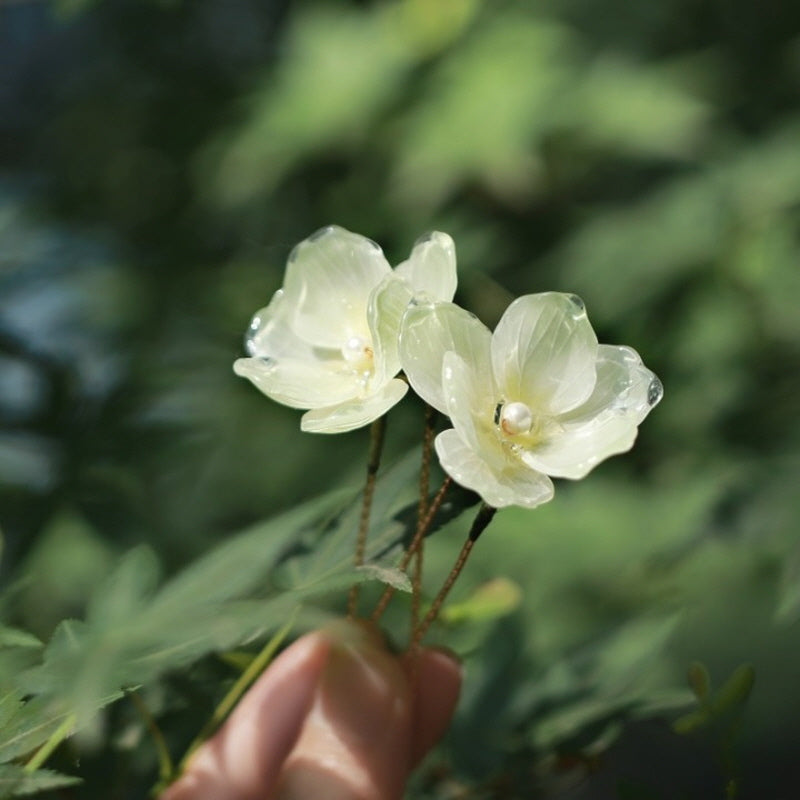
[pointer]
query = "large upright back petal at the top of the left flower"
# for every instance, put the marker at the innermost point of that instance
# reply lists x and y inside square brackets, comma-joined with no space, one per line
[328,282]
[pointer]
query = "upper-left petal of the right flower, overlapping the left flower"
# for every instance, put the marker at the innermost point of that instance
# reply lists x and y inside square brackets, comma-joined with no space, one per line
[430,330]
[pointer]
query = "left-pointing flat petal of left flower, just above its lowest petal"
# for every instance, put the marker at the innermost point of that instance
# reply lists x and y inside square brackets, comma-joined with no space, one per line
[297,383]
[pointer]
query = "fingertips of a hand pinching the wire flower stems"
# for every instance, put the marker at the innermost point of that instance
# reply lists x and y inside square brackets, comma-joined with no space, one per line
[336,716]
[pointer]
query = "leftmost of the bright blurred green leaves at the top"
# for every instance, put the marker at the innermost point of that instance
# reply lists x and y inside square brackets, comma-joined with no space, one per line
[316,97]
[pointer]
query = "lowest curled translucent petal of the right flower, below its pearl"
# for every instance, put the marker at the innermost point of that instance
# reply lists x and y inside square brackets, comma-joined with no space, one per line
[515,485]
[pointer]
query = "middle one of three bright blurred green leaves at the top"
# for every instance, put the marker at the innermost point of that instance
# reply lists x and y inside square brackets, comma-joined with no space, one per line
[449,136]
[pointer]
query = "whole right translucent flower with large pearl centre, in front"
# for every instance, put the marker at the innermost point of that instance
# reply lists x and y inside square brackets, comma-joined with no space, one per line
[539,397]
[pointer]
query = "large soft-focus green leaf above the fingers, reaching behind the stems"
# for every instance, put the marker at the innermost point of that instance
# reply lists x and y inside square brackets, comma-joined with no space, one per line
[134,633]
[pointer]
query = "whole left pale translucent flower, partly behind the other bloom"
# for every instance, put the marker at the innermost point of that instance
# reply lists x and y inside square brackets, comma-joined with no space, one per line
[328,340]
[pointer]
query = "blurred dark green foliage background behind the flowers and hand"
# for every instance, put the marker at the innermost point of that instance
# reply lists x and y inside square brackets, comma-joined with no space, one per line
[159,159]
